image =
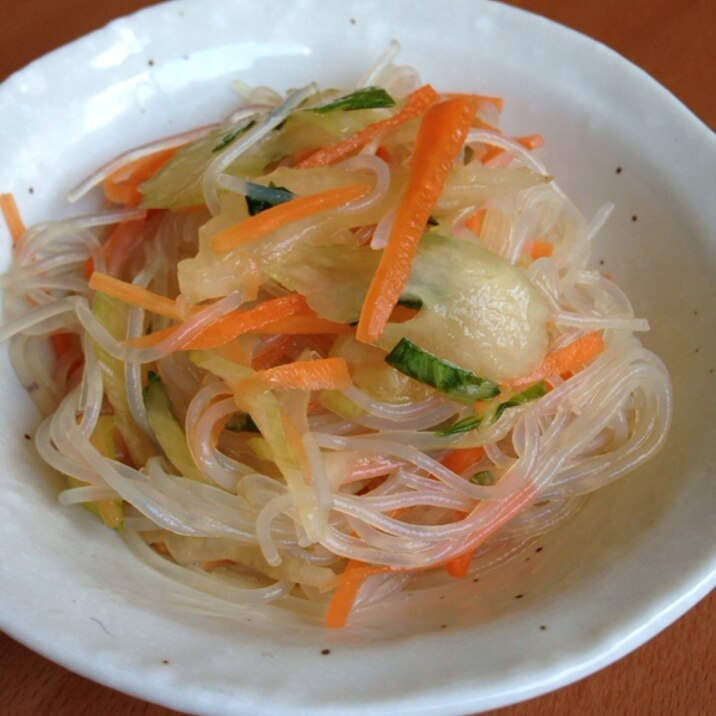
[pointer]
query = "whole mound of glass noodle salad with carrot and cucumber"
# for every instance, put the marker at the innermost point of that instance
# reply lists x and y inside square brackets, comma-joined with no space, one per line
[345,343]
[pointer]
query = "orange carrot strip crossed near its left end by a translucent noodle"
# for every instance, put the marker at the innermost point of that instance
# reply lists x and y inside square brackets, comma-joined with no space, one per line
[233,325]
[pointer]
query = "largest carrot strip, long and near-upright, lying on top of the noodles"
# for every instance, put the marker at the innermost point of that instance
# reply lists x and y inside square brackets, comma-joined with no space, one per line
[440,138]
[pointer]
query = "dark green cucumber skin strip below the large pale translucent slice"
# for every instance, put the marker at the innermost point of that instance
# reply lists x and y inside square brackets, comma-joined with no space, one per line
[458,384]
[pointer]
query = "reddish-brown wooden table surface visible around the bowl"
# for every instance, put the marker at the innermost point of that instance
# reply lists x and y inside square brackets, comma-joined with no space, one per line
[673,674]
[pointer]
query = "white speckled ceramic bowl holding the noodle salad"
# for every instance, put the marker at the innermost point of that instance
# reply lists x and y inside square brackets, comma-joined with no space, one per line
[639,554]
